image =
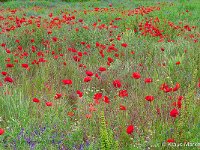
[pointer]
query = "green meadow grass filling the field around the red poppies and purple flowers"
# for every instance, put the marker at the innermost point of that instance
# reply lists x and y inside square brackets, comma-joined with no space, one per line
[45,80]
